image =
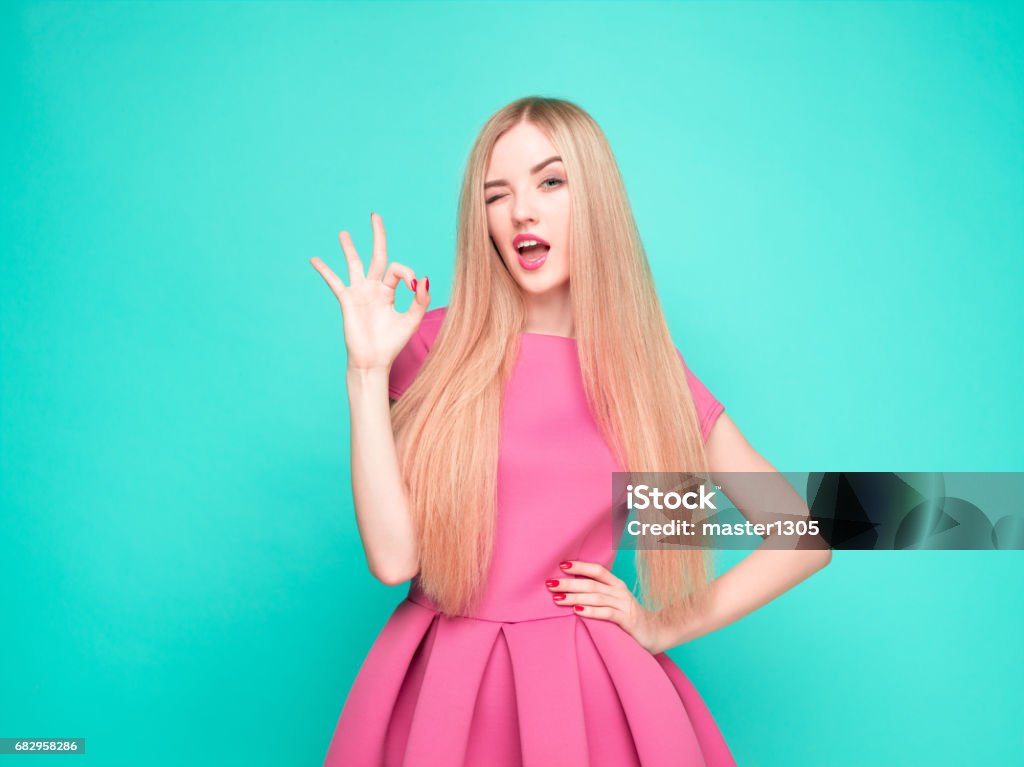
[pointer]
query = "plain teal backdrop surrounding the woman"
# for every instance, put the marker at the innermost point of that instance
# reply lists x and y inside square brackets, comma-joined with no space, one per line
[831,198]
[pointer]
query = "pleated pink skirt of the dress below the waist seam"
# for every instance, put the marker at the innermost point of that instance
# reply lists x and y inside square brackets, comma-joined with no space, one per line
[562,692]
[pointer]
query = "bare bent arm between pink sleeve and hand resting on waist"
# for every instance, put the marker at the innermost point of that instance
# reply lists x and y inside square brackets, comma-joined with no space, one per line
[765,574]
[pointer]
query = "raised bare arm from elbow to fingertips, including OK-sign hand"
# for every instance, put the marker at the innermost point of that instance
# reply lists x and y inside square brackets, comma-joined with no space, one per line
[375,333]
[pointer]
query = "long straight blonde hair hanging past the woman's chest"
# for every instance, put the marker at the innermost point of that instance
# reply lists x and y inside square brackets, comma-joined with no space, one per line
[447,423]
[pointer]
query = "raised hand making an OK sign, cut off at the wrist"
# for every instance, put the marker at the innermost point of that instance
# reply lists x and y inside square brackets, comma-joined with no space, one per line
[375,331]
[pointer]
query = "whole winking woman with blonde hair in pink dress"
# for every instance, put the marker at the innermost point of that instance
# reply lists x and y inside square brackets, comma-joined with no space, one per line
[487,480]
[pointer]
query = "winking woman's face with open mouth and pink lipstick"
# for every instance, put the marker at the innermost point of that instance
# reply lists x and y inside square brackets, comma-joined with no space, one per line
[526,194]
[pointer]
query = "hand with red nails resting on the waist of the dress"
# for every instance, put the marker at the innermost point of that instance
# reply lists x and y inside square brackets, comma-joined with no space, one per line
[601,594]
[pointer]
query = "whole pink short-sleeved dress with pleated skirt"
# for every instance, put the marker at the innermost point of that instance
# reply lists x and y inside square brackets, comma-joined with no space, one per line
[527,681]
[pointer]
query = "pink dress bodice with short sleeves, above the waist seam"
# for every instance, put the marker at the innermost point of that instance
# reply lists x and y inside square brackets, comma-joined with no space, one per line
[554,474]
